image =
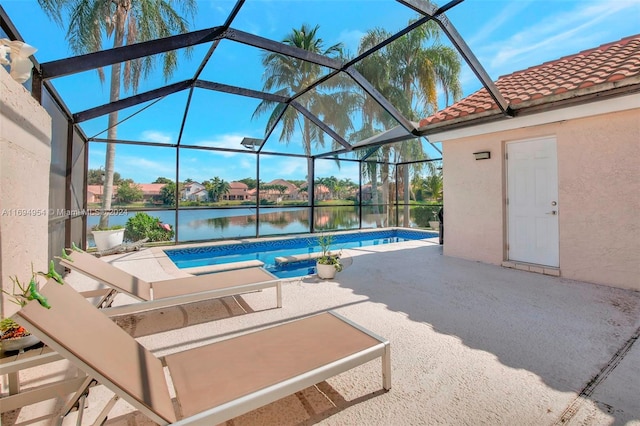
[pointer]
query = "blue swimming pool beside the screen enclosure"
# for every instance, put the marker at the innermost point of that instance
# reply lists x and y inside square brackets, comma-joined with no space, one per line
[267,251]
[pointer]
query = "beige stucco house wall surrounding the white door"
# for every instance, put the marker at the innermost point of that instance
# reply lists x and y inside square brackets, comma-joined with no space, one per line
[599,196]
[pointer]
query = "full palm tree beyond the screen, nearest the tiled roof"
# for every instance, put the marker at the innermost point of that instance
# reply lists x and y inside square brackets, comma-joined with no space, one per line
[408,72]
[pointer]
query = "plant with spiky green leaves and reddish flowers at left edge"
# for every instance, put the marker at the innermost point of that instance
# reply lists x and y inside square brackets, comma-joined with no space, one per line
[14,337]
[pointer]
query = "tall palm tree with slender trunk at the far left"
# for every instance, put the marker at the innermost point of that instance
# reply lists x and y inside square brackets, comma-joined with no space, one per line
[128,22]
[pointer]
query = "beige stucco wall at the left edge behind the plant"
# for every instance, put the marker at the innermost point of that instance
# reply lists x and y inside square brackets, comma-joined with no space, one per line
[25,135]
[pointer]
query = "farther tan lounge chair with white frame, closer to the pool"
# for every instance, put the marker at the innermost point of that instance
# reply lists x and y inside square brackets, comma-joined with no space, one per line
[174,291]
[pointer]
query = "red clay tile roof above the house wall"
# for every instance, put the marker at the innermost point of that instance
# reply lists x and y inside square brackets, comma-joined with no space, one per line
[600,69]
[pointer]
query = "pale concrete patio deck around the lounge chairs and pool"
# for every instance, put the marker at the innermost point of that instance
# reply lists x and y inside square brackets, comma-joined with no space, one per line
[471,344]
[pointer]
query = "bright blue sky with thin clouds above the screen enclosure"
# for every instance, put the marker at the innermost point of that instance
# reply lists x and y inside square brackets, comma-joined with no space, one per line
[504,35]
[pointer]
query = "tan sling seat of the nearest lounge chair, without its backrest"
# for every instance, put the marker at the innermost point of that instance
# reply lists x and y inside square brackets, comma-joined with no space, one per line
[239,366]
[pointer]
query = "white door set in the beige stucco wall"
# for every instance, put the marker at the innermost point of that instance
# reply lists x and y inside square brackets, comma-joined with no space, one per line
[532,203]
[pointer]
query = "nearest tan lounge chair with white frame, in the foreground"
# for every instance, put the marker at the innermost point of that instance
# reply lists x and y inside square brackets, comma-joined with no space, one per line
[212,383]
